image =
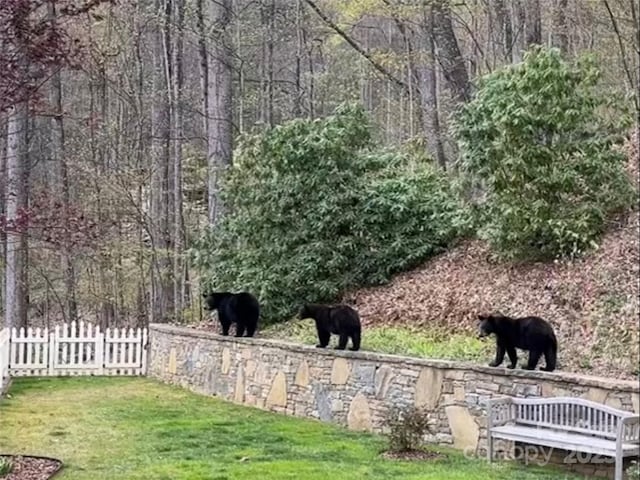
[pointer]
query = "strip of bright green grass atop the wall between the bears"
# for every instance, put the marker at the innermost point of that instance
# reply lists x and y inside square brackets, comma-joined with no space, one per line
[407,341]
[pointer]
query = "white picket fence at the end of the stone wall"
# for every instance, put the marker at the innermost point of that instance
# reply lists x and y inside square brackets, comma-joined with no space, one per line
[73,349]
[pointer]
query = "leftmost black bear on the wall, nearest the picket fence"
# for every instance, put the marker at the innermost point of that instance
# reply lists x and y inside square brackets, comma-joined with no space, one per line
[241,308]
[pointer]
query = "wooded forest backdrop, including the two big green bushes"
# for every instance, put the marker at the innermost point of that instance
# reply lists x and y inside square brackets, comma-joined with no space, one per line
[300,149]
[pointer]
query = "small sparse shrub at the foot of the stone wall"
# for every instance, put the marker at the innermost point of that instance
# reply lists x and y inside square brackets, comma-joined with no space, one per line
[407,427]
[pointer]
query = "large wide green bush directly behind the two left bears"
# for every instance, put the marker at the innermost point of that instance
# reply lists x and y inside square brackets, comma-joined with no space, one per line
[315,210]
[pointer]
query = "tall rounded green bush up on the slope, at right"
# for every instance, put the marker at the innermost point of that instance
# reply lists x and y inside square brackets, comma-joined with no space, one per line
[538,137]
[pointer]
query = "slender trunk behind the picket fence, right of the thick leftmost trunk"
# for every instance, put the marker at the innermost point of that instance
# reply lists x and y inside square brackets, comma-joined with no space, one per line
[60,162]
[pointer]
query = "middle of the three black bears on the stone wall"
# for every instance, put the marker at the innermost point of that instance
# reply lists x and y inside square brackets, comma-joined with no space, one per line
[340,320]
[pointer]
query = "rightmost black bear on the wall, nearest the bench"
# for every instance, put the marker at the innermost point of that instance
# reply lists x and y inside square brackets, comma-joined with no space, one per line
[528,333]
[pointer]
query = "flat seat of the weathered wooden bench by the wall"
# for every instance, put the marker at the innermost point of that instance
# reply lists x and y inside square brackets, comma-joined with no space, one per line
[563,440]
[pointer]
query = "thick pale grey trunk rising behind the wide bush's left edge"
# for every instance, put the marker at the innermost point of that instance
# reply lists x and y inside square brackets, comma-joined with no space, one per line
[220,133]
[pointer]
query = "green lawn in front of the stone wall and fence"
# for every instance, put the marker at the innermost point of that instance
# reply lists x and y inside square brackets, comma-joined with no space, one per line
[135,428]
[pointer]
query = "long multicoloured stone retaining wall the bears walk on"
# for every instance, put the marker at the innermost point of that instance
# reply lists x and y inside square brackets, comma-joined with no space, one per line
[355,389]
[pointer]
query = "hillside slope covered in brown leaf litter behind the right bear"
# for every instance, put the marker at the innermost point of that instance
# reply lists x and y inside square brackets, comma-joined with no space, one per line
[592,302]
